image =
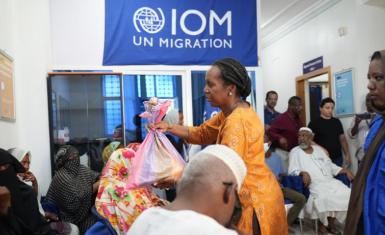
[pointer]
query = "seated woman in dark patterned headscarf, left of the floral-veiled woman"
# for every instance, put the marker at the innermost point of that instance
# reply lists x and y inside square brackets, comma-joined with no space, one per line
[72,188]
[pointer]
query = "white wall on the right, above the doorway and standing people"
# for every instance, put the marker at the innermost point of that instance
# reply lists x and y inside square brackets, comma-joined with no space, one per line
[282,61]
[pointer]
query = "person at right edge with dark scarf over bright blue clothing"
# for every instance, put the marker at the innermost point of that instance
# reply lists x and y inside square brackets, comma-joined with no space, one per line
[366,213]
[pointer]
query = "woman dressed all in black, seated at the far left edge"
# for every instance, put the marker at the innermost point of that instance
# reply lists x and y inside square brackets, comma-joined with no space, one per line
[22,214]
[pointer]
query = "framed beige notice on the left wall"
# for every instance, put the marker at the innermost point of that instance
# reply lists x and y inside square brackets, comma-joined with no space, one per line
[7,105]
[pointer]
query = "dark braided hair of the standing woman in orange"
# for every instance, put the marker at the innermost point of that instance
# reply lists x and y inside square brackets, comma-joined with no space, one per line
[235,73]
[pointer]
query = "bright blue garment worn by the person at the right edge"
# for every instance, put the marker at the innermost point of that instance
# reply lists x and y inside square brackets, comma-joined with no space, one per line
[374,194]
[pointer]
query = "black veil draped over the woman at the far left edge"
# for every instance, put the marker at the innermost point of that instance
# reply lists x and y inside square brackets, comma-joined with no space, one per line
[23,199]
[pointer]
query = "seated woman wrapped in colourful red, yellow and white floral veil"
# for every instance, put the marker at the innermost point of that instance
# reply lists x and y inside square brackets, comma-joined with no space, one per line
[114,201]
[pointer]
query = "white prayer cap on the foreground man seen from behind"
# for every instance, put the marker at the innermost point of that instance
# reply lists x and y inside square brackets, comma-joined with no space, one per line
[229,157]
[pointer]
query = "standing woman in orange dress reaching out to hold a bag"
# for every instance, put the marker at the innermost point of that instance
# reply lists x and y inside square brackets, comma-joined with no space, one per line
[239,127]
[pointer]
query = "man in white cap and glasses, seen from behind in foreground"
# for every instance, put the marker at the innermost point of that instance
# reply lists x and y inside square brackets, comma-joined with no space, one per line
[206,197]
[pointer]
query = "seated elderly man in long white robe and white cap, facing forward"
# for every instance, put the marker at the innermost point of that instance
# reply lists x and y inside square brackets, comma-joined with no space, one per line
[329,197]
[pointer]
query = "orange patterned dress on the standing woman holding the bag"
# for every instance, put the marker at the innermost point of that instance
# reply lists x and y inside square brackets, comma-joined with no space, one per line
[243,131]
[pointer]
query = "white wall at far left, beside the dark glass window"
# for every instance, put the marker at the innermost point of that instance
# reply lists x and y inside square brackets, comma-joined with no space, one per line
[24,35]
